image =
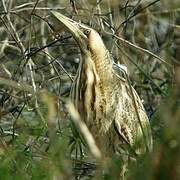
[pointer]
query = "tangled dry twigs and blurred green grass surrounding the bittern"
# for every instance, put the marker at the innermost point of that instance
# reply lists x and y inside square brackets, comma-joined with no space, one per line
[38,62]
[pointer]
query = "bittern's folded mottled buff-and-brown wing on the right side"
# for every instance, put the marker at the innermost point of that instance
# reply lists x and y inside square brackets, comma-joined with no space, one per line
[134,128]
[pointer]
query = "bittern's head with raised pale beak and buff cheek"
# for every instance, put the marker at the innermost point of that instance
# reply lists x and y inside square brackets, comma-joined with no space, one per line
[87,38]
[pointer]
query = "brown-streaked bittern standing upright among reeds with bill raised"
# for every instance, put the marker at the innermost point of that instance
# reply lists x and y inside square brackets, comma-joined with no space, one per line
[109,106]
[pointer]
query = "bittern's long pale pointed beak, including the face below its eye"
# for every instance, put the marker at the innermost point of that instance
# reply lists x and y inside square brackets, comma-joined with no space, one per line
[74,28]
